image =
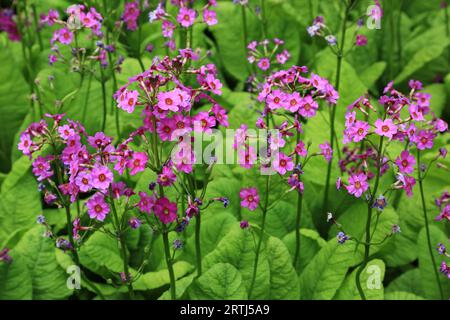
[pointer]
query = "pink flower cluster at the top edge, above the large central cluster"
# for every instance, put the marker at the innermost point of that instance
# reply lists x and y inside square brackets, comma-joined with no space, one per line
[185,18]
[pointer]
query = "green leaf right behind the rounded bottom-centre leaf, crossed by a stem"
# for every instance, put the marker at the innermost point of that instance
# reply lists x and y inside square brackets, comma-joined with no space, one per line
[238,249]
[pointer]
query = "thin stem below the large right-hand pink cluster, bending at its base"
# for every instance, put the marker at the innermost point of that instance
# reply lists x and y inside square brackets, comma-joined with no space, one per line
[369,220]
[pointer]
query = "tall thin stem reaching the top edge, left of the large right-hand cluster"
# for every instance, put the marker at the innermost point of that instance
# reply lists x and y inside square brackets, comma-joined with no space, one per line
[340,56]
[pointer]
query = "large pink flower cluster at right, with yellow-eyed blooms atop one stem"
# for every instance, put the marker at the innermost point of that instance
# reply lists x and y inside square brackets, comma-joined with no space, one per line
[403,121]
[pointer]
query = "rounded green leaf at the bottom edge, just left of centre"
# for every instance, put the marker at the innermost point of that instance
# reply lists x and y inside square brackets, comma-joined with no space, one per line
[221,282]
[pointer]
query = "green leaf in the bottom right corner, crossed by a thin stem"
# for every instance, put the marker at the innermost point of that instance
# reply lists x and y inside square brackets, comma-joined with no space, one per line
[426,267]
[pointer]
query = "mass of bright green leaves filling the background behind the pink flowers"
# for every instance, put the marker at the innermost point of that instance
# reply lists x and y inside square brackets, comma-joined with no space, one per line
[326,268]
